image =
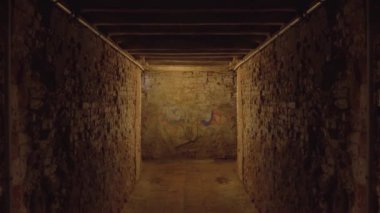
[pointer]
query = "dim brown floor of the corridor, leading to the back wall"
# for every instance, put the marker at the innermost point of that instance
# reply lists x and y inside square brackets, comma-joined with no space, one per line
[191,186]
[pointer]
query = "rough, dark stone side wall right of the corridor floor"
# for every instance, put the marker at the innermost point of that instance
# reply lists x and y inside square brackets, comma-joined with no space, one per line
[302,112]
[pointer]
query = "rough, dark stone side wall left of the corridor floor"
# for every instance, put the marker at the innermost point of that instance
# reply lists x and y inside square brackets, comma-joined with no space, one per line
[75,112]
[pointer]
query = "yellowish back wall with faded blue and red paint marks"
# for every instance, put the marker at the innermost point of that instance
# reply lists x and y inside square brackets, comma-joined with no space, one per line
[189,114]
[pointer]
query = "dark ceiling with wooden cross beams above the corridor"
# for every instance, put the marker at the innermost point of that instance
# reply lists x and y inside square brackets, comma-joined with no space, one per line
[188,32]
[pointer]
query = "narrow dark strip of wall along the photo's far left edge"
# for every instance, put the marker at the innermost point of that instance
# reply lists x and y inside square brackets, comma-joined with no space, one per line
[3,68]
